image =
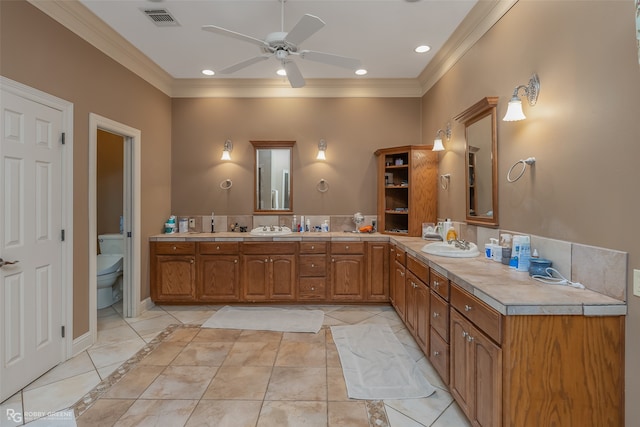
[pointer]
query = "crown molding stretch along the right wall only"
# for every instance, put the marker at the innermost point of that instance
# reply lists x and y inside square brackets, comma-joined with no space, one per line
[484,15]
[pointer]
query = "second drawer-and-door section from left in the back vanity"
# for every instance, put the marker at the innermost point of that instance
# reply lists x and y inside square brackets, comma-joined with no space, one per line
[218,275]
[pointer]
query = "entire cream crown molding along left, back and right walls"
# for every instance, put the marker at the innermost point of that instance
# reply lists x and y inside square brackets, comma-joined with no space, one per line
[80,20]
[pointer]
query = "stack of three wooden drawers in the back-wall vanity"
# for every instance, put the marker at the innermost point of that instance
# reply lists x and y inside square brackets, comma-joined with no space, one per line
[312,271]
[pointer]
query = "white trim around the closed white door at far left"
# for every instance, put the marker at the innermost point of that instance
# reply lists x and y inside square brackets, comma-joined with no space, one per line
[66,279]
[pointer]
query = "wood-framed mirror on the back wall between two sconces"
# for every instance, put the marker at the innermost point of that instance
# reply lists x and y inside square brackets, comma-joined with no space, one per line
[273,179]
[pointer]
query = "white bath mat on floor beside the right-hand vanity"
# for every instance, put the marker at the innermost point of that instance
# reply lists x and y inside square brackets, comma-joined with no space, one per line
[376,365]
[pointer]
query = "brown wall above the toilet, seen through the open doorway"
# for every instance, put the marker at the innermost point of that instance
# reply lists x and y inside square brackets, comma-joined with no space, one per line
[109,182]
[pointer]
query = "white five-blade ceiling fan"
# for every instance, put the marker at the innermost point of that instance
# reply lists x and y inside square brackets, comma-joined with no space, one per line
[283,46]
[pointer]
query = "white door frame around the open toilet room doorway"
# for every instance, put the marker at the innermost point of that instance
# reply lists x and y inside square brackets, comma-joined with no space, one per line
[132,306]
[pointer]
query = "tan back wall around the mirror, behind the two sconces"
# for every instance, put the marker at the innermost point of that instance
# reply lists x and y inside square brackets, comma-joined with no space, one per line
[353,128]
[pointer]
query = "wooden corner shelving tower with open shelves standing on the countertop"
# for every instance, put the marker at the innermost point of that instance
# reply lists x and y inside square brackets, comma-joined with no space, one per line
[407,189]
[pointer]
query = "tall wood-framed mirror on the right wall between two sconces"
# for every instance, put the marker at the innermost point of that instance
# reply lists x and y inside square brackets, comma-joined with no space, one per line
[481,157]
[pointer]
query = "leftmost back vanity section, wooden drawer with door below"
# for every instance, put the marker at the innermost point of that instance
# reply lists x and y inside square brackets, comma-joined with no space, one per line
[173,271]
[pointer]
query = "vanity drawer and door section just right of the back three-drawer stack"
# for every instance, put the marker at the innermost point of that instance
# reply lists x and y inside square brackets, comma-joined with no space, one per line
[347,271]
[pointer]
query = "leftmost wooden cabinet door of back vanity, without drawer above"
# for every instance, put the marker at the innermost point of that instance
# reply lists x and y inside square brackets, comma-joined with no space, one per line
[175,278]
